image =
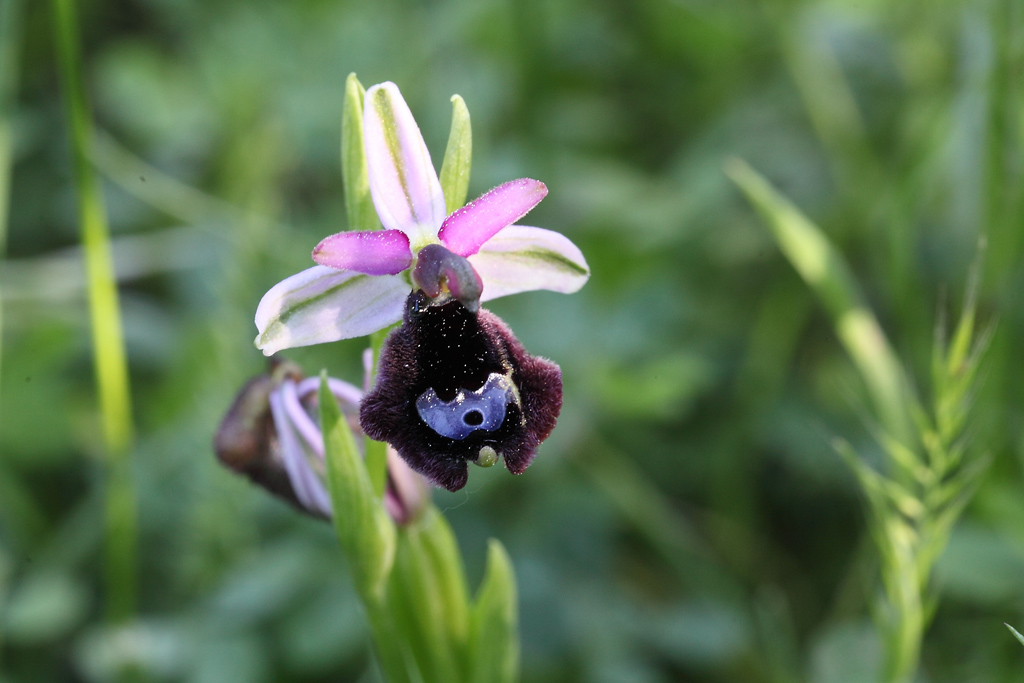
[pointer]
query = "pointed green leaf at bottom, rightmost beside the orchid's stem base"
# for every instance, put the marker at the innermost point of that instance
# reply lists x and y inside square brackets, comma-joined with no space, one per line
[495,641]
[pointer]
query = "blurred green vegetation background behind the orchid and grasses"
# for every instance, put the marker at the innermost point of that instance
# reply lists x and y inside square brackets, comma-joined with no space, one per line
[689,520]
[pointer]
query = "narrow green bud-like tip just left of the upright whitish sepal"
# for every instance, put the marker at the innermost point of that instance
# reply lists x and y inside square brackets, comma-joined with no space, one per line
[359,204]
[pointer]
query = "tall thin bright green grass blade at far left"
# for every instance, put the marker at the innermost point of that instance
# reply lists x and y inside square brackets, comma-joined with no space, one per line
[110,358]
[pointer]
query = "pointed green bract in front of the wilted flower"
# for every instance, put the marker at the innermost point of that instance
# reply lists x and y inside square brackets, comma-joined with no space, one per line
[364,529]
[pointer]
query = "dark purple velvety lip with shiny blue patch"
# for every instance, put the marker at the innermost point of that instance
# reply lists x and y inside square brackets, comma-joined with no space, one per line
[456,387]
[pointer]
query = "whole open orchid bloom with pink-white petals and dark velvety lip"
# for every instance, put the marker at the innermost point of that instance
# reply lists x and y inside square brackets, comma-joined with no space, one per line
[455,386]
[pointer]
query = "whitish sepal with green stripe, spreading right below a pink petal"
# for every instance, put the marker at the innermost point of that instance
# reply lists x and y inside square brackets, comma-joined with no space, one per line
[524,260]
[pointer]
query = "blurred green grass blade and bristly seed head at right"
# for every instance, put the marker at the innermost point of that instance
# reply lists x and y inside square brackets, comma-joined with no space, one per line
[915,506]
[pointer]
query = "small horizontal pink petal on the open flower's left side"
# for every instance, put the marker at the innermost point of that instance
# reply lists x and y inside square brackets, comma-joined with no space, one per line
[374,253]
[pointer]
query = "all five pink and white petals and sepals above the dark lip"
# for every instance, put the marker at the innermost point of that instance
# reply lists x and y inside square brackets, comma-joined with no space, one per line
[363,278]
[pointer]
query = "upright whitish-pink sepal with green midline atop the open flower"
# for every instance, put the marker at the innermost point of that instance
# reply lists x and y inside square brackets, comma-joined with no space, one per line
[403,182]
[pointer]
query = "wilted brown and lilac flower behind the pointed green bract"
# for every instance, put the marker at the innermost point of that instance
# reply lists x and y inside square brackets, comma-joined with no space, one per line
[271,437]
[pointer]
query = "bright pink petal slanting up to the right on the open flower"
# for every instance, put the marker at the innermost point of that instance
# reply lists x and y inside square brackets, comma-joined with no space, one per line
[466,230]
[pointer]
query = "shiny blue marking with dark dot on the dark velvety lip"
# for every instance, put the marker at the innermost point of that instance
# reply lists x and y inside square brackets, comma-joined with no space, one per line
[470,411]
